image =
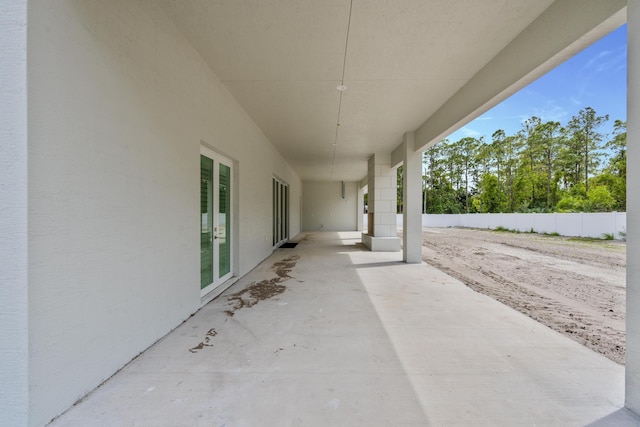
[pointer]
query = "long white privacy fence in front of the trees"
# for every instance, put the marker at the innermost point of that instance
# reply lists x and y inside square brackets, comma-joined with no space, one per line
[565,224]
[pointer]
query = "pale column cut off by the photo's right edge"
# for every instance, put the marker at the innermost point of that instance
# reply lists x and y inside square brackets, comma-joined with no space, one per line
[632,365]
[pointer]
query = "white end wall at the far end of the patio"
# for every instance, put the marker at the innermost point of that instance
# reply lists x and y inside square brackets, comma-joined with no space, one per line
[324,209]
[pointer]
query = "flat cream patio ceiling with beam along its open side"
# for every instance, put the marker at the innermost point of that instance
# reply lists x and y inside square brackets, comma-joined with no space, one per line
[408,65]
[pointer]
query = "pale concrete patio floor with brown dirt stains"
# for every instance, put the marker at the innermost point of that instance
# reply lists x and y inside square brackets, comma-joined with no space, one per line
[329,334]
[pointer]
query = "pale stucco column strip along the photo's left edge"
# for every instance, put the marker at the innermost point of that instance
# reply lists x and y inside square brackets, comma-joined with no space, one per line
[14,301]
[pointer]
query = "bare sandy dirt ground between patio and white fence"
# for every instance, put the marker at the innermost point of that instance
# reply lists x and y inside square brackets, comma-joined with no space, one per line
[576,287]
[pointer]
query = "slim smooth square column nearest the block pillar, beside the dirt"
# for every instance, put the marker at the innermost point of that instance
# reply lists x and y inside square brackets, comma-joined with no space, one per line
[412,201]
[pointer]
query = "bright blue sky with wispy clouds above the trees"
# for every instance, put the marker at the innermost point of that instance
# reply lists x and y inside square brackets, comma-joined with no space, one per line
[595,77]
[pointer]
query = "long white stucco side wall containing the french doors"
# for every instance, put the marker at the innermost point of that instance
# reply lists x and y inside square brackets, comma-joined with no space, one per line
[119,104]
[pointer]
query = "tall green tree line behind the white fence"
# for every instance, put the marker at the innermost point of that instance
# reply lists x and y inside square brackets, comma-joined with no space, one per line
[544,167]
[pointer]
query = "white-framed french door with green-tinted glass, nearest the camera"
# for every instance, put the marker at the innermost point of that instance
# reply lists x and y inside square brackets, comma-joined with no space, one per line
[216,176]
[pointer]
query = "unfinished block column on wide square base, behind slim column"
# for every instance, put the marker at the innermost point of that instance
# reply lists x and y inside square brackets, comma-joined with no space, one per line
[381,234]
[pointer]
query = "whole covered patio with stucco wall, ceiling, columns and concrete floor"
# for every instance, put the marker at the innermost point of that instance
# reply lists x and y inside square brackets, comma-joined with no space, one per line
[154,157]
